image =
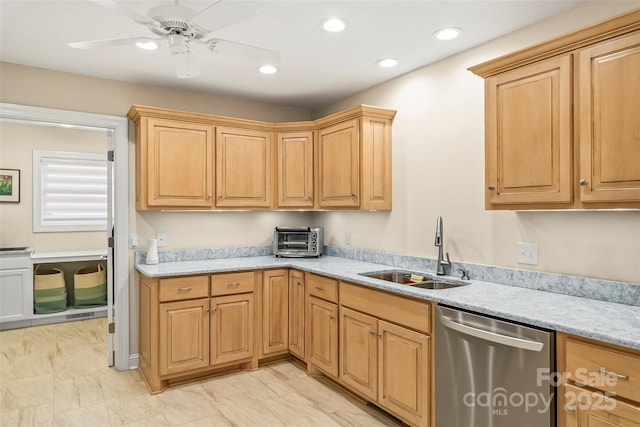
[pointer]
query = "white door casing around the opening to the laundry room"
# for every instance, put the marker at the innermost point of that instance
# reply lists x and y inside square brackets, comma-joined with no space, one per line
[117,223]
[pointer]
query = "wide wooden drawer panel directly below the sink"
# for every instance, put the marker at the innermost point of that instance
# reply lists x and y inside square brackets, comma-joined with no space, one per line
[394,308]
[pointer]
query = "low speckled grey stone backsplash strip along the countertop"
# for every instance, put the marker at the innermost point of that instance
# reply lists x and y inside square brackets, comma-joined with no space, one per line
[585,287]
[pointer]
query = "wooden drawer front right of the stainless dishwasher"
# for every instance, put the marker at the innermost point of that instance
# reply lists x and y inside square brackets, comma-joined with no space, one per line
[604,369]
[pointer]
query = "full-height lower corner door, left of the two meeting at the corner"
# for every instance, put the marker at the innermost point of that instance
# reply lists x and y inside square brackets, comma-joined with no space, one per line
[275,311]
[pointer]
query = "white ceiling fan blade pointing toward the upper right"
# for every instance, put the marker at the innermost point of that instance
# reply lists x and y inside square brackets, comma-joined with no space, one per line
[225,14]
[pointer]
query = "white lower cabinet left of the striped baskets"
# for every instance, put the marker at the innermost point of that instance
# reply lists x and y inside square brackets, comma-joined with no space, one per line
[16,286]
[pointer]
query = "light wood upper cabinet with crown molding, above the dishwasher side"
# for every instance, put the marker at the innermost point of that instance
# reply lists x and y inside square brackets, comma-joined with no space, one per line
[562,128]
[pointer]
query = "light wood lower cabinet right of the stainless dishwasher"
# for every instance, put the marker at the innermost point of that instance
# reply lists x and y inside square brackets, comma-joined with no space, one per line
[600,384]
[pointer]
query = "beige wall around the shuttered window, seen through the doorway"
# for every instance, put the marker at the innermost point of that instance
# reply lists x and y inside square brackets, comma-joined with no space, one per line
[17,142]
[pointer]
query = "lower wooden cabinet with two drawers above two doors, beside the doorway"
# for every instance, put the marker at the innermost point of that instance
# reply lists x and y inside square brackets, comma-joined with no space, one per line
[187,328]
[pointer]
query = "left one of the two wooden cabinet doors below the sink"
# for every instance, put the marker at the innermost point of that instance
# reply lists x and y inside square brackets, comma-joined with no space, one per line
[359,352]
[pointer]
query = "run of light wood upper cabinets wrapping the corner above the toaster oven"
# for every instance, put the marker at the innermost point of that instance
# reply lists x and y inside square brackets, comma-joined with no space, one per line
[200,161]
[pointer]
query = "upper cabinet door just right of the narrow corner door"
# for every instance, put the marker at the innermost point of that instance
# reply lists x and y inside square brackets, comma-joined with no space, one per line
[339,165]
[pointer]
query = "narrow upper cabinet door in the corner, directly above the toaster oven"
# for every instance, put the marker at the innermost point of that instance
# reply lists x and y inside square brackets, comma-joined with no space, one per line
[295,170]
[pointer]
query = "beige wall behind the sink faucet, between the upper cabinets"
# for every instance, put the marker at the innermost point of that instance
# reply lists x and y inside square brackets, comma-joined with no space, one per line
[438,169]
